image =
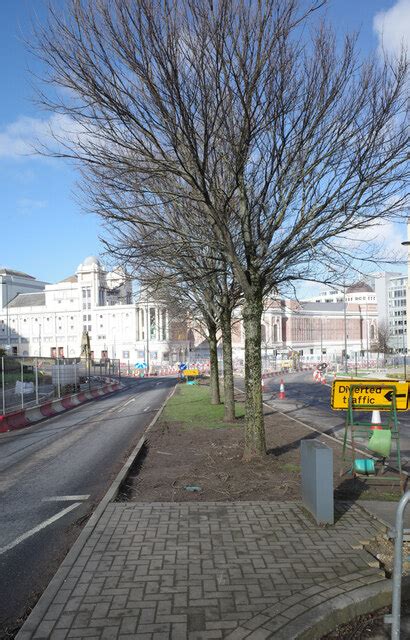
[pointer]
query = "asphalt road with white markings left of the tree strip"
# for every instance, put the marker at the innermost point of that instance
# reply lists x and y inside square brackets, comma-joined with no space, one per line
[52,475]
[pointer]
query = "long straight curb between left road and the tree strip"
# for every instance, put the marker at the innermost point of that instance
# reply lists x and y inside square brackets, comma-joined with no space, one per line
[40,609]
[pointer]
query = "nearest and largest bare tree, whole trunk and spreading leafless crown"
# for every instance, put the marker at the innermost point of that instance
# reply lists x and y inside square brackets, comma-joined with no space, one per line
[282,142]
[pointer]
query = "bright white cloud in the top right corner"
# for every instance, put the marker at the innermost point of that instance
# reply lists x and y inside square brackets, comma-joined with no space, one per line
[393,27]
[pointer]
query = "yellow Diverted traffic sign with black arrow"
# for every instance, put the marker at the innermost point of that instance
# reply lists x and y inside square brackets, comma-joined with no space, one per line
[370,392]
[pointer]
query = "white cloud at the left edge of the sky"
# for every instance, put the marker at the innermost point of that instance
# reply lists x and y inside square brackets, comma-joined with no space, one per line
[24,136]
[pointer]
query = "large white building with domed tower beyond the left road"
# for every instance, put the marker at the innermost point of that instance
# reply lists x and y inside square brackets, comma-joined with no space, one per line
[49,320]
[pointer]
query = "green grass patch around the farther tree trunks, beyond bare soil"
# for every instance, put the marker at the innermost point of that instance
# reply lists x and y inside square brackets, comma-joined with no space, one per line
[191,407]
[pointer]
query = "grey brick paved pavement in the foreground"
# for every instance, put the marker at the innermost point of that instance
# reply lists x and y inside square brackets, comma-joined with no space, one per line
[206,570]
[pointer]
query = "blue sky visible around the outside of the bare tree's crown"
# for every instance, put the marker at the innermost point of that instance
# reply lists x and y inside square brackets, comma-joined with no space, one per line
[43,229]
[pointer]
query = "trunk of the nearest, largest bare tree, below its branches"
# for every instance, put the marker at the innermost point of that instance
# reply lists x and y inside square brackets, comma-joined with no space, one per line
[255,444]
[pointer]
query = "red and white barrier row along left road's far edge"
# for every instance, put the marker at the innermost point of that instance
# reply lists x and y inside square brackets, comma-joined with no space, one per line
[48,409]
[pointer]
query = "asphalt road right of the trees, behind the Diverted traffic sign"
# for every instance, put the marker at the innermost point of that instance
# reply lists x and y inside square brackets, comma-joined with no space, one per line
[309,402]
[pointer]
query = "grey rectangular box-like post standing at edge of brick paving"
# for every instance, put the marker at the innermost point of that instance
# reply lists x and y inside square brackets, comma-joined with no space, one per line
[317,480]
